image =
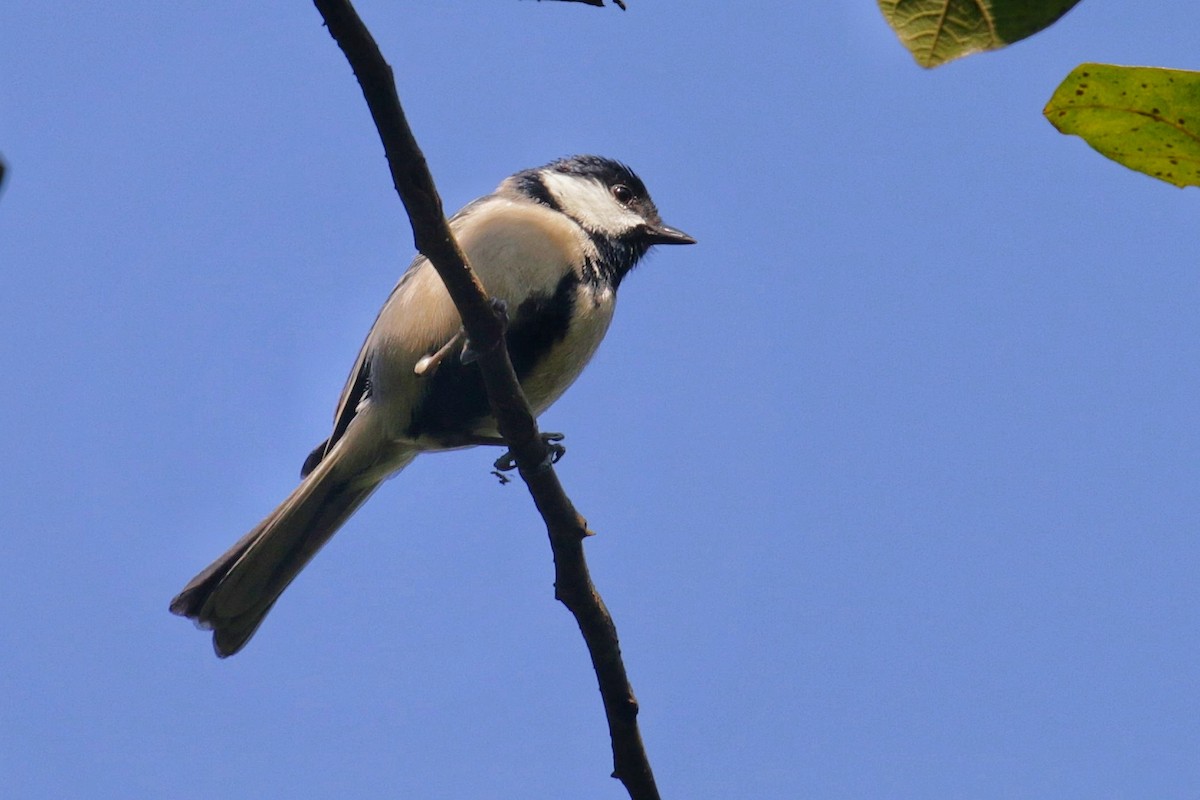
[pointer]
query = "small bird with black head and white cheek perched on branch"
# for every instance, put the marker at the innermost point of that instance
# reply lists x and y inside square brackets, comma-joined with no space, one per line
[551,246]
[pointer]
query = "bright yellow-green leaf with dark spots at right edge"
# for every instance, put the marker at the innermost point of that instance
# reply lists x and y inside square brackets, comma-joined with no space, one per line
[1144,118]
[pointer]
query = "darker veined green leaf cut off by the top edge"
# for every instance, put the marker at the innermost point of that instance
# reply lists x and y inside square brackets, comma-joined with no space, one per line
[937,32]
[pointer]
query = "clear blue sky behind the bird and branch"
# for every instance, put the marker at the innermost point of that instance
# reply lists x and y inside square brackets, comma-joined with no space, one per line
[895,474]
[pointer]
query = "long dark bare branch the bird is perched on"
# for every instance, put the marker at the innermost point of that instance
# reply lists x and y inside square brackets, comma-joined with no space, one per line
[566,527]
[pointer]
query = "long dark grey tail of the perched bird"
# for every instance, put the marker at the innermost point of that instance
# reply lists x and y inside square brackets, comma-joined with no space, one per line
[232,596]
